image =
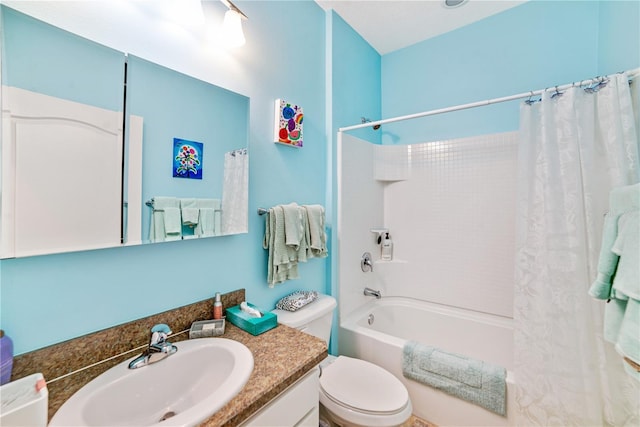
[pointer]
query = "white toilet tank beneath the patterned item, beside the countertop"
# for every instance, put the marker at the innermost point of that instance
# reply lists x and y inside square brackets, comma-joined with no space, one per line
[314,319]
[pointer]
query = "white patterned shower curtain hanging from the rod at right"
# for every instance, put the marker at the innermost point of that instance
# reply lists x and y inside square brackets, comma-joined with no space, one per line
[574,149]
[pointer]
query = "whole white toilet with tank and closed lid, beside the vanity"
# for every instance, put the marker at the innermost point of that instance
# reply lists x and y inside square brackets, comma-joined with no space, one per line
[353,392]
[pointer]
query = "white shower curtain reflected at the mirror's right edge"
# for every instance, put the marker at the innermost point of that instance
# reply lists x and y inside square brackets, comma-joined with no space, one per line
[235,192]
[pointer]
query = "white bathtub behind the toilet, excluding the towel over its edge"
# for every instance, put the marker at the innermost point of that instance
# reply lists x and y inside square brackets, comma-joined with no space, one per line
[378,330]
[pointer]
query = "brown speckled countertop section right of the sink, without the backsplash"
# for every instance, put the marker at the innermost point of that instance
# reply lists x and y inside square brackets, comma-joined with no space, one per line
[281,356]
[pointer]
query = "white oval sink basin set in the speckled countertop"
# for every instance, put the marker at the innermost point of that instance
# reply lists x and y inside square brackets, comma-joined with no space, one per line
[180,390]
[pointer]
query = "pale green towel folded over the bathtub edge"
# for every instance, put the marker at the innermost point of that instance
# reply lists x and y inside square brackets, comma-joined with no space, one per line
[473,380]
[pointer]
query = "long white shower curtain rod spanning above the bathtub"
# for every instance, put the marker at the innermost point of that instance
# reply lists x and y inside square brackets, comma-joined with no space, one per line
[631,74]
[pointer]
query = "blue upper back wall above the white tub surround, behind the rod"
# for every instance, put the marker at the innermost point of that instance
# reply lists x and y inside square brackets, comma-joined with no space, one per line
[533,46]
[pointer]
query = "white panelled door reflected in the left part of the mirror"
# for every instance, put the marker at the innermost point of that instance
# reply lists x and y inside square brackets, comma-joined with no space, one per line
[61,175]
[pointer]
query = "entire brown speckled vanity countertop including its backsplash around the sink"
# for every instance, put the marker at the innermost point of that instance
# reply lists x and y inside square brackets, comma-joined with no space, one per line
[281,356]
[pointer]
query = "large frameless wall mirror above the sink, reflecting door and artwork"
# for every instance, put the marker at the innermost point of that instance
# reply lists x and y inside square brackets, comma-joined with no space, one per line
[87,162]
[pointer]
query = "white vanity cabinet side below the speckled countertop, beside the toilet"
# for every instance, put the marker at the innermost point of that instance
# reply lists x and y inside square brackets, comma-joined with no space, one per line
[297,406]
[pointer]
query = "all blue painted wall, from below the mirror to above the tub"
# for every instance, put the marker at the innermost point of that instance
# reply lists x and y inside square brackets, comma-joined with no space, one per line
[49,299]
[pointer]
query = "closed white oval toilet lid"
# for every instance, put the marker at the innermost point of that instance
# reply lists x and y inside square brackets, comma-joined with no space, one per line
[363,386]
